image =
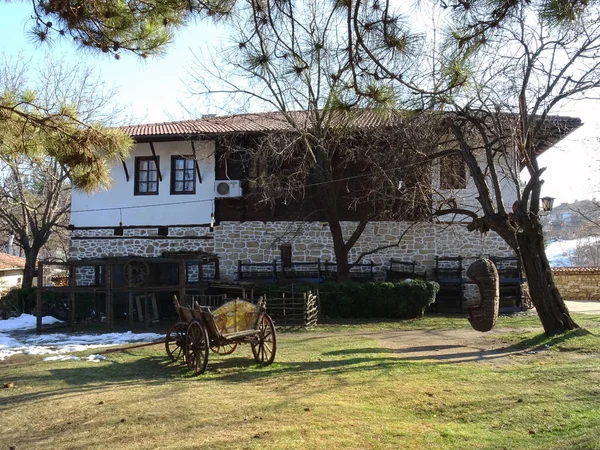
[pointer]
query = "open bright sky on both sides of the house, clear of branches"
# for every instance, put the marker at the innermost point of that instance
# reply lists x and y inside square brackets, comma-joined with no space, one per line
[152,90]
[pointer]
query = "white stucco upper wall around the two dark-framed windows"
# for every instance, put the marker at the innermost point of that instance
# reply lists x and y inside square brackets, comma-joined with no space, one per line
[118,204]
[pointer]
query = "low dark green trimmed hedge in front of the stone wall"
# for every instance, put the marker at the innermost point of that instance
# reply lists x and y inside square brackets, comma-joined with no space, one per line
[402,300]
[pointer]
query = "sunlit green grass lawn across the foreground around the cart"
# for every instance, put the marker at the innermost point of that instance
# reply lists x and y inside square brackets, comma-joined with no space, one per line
[336,387]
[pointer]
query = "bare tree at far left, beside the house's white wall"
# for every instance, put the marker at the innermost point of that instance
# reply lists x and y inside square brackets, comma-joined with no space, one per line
[35,185]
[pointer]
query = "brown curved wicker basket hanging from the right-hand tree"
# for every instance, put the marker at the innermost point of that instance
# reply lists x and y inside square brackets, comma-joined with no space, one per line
[483,316]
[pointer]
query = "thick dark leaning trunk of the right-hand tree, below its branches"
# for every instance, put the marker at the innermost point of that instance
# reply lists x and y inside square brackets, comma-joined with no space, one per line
[546,298]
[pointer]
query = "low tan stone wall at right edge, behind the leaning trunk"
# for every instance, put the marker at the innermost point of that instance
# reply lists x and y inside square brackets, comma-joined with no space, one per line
[578,283]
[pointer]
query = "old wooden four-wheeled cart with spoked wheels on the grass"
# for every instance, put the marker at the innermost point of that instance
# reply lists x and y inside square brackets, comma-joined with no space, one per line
[199,330]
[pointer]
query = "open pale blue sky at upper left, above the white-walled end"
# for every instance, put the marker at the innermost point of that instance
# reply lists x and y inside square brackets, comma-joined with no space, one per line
[151,89]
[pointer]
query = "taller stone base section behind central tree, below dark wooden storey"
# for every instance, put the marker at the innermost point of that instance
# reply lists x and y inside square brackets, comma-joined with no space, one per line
[260,242]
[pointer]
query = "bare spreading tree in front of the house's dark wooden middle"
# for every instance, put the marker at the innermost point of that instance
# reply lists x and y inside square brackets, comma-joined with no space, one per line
[336,141]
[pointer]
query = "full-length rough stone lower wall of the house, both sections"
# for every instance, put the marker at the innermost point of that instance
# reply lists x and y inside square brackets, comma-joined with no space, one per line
[261,241]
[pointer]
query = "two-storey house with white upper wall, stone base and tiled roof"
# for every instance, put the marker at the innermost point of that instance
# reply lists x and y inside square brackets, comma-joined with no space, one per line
[175,193]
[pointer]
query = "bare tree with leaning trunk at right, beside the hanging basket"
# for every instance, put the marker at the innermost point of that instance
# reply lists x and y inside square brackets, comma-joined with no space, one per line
[535,69]
